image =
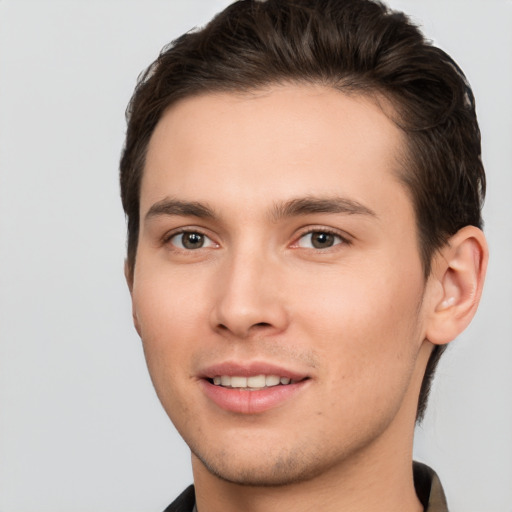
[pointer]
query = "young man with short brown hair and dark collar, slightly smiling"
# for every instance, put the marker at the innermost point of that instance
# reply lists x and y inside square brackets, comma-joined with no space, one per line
[303,185]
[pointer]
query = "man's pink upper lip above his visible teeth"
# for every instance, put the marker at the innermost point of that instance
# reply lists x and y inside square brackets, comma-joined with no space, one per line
[247,369]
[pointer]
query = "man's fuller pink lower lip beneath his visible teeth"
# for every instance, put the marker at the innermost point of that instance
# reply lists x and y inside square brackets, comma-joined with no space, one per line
[250,402]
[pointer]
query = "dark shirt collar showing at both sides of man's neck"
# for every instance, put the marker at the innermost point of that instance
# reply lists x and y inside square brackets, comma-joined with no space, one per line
[427,484]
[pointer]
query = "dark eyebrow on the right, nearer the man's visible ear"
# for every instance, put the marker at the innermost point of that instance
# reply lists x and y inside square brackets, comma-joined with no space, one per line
[312,205]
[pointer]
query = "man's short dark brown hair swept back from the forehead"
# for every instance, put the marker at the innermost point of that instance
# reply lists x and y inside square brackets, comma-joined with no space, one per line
[356,46]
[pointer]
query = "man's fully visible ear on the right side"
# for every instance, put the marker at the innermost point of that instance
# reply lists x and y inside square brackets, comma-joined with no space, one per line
[455,284]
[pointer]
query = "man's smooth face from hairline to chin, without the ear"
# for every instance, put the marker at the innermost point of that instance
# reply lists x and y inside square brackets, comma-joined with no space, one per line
[278,287]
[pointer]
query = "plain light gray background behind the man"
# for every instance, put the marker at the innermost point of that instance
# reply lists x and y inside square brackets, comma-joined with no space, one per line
[80,426]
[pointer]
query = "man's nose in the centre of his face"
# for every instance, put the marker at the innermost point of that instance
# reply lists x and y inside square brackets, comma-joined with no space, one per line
[249,298]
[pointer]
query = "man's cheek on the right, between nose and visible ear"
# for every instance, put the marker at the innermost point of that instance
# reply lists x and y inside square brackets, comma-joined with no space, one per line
[367,331]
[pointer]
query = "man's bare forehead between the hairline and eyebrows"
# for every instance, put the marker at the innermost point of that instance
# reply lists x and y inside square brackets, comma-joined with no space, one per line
[288,140]
